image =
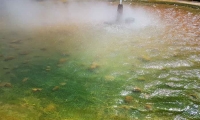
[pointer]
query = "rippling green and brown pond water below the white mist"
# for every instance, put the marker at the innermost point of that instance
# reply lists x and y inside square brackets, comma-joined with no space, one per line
[104,71]
